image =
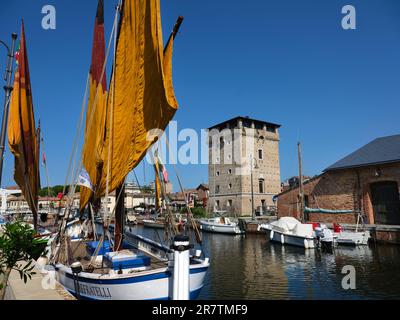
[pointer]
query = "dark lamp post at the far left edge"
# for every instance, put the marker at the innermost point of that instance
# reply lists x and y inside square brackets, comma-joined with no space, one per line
[8,89]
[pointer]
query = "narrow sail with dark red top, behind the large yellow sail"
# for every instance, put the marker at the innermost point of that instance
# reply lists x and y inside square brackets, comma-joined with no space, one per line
[96,110]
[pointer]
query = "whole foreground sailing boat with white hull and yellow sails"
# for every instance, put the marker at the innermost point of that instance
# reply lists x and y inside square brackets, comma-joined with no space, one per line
[140,99]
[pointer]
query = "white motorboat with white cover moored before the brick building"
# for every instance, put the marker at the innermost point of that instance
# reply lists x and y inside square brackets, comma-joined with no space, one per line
[288,230]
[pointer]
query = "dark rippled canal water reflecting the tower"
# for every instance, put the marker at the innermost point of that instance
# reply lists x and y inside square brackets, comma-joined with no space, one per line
[250,267]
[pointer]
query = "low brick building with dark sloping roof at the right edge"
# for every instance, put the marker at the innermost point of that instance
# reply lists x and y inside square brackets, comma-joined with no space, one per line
[365,181]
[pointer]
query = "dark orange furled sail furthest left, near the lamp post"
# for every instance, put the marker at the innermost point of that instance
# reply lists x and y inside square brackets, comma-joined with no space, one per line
[22,132]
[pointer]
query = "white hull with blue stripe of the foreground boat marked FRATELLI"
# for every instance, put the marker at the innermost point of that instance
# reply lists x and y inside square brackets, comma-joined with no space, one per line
[143,285]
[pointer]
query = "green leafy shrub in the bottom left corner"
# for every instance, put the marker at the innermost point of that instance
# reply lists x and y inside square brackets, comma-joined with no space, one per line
[18,245]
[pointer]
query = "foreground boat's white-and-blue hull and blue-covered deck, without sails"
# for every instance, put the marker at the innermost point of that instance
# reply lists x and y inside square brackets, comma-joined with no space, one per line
[127,275]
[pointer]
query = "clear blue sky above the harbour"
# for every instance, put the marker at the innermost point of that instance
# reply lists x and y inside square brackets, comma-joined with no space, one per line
[287,62]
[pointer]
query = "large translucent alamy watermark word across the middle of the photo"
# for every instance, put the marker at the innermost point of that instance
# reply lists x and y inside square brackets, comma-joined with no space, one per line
[236,146]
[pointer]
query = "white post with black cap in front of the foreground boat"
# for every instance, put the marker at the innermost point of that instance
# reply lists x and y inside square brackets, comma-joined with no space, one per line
[181,277]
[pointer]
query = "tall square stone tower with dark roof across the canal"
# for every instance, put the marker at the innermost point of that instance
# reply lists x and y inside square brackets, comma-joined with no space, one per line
[243,165]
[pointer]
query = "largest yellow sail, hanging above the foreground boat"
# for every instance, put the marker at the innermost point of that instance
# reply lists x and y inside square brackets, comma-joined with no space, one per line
[141,96]
